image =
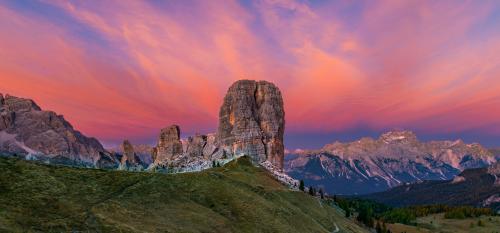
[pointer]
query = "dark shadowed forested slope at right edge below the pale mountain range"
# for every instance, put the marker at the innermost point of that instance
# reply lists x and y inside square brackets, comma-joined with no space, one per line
[477,187]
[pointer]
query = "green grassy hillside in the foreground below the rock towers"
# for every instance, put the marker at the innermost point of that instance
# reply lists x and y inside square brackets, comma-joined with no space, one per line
[235,198]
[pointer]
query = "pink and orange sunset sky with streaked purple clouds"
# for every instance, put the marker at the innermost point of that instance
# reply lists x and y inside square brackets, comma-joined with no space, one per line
[347,69]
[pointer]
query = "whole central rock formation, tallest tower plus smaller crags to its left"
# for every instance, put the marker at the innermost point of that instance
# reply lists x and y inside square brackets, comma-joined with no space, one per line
[251,123]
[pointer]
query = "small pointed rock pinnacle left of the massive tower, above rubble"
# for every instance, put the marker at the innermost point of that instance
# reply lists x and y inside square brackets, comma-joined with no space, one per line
[169,145]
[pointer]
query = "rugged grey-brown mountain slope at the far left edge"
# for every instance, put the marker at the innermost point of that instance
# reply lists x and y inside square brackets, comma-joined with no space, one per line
[26,130]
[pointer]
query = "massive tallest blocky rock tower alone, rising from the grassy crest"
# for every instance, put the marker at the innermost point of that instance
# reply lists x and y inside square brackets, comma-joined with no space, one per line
[251,122]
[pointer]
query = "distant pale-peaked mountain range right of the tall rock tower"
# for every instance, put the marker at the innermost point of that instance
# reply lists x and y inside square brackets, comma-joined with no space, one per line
[374,165]
